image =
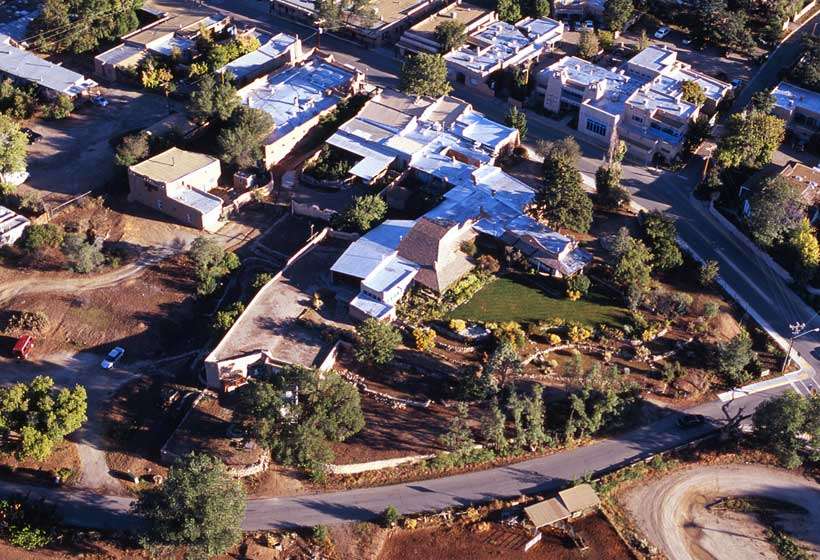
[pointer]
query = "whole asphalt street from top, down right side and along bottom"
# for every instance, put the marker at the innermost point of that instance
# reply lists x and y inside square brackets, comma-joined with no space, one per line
[765,294]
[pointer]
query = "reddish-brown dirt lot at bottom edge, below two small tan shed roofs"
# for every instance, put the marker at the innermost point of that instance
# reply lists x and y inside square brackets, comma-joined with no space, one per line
[500,541]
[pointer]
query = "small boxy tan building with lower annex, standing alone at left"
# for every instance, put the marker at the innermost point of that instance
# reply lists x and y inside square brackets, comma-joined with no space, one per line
[177,183]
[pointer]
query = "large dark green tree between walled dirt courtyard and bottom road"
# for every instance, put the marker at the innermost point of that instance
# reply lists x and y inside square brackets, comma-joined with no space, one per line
[297,412]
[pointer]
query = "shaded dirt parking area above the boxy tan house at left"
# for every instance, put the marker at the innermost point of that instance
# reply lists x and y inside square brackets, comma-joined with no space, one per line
[76,154]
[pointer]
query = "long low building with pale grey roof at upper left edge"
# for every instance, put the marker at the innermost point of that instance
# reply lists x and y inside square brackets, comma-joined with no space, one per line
[51,79]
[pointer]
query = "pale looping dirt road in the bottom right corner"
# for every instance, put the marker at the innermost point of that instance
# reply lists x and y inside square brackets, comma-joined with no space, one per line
[673,512]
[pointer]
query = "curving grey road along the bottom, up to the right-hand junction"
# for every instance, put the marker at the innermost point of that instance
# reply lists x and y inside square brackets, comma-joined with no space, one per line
[537,475]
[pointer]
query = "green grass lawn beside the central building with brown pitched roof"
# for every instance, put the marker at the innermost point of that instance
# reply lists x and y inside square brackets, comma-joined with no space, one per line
[519,299]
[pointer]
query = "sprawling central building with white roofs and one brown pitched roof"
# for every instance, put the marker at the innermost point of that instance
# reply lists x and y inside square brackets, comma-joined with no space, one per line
[442,142]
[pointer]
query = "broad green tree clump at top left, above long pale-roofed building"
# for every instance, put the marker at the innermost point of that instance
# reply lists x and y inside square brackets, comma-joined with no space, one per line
[82,25]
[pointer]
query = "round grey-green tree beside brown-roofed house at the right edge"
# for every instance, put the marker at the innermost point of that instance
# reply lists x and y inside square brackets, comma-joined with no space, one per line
[776,209]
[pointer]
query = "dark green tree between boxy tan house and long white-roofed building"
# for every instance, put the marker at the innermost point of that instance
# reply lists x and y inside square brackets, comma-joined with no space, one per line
[240,142]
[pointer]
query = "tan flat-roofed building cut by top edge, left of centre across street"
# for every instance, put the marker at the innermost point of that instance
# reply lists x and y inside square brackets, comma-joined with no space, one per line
[392,18]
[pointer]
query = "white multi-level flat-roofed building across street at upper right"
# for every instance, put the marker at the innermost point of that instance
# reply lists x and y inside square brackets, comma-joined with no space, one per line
[640,103]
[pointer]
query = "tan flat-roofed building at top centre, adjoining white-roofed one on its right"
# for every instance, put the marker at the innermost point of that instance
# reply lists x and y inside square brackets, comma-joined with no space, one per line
[422,36]
